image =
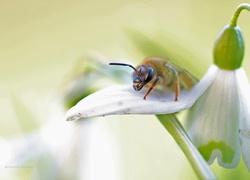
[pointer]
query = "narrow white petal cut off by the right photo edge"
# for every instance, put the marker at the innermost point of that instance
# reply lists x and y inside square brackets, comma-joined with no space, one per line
[244,125]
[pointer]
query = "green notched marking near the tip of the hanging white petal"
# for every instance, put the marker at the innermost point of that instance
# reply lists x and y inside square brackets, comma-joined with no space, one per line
[226,151]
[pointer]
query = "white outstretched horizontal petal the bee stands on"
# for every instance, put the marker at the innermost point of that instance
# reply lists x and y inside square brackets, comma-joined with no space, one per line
[122,99]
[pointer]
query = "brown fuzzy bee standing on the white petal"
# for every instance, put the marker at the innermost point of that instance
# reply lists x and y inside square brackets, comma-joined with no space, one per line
[159,71]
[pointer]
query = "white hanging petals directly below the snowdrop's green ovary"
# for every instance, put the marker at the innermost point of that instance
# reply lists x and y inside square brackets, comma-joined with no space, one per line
[219,121]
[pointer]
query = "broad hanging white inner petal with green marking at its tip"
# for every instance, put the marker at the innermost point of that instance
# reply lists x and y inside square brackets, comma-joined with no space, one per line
[212,122]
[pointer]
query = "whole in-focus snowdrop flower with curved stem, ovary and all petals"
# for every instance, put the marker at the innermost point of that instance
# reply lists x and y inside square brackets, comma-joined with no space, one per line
[218,123]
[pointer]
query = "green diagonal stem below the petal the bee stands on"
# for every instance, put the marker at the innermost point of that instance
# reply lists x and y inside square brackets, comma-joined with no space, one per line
[174,127]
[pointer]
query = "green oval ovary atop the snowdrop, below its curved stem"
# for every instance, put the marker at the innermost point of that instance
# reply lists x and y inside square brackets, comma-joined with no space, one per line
[229,48]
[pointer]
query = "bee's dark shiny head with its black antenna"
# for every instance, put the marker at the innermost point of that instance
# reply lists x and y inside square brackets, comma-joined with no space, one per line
[141,76]
